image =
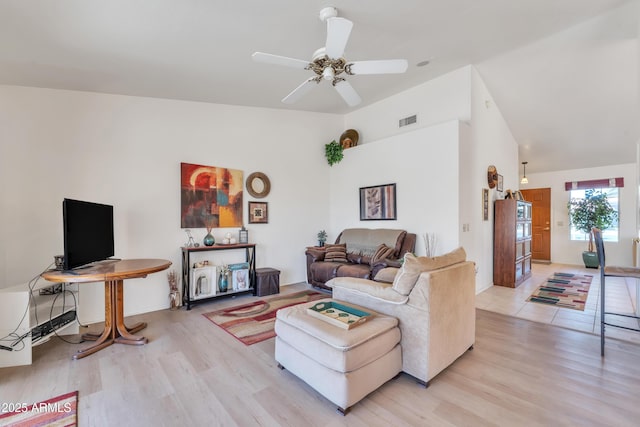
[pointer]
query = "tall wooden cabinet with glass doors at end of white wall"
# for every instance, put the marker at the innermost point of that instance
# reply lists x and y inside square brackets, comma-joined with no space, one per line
[511,242]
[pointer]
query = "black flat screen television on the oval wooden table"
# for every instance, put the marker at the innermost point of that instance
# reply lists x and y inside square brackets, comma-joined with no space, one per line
[88,232]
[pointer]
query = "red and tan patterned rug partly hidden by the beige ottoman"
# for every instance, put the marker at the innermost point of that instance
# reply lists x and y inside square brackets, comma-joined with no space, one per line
[254,322]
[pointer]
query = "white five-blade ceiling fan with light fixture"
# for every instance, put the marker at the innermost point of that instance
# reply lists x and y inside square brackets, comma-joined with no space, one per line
[329,64]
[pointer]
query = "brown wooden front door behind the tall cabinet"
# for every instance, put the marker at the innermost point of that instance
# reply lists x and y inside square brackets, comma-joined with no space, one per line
[540,199]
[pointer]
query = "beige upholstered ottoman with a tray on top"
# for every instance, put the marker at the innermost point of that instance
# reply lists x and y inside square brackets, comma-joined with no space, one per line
[342,365]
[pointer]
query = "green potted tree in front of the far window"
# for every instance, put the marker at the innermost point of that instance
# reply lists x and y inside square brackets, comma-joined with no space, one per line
[592,211]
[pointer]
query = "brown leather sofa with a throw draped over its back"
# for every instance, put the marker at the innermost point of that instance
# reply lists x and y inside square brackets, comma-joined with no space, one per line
[361,245]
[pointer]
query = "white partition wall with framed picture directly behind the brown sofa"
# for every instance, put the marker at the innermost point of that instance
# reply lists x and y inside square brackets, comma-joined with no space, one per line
[424,166]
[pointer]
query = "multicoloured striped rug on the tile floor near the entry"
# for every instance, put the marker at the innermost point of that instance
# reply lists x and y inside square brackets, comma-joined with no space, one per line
[563,290]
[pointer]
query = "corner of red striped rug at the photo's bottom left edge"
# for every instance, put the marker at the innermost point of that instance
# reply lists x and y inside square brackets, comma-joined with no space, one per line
[58,411]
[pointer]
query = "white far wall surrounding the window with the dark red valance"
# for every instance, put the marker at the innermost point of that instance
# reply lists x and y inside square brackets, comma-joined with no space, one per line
[565,251]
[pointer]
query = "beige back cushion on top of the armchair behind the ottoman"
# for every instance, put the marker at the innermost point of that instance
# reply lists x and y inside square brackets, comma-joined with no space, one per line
[412,266]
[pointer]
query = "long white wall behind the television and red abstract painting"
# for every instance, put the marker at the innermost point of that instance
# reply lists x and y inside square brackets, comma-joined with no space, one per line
[126,151]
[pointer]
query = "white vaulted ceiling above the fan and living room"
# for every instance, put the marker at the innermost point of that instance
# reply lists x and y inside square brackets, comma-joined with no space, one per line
[563,73]
